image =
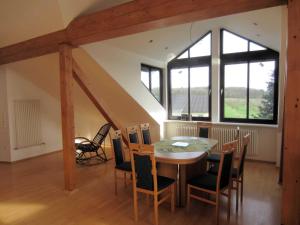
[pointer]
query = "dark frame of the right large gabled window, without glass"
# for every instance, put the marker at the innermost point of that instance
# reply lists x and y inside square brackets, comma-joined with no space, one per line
[248,57]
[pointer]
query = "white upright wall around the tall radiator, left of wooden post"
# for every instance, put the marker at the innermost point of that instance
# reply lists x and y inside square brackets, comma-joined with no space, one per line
[19,88]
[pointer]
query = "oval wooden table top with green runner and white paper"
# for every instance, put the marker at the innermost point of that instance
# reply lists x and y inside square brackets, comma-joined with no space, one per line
[183,149]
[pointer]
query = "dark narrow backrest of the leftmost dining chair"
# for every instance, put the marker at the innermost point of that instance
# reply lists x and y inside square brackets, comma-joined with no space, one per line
[117,144]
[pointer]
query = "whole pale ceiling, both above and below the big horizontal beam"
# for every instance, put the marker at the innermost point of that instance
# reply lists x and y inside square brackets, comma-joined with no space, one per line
[21,20]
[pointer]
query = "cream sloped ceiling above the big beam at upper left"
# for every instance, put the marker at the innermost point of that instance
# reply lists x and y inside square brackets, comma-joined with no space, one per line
[21,20]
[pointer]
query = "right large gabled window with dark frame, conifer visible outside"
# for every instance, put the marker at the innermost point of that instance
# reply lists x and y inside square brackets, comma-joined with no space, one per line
[249,80]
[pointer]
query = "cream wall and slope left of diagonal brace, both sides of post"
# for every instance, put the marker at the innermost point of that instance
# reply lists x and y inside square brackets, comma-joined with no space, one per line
[38,78]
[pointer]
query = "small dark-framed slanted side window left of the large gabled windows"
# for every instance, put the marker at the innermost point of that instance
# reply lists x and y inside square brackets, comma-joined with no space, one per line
[151,77]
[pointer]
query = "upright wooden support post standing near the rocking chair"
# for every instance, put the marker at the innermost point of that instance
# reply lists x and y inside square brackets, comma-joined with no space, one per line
[67,114]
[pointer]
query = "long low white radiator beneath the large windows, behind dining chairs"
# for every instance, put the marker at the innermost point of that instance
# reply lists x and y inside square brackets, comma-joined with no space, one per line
[223,135]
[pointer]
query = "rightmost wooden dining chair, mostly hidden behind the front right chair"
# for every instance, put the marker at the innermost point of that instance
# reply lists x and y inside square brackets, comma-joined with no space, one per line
[238,172]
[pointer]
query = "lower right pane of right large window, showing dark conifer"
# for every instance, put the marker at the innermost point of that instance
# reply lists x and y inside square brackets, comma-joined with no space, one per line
[261,93]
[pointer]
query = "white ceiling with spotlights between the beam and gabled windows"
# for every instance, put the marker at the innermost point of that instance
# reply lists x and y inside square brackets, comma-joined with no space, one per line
[262,26]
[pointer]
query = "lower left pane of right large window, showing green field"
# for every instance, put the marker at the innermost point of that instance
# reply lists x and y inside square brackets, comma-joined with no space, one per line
[235,93]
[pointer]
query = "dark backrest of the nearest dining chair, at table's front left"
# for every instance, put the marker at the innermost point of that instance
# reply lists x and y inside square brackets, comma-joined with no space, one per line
[143,166]
